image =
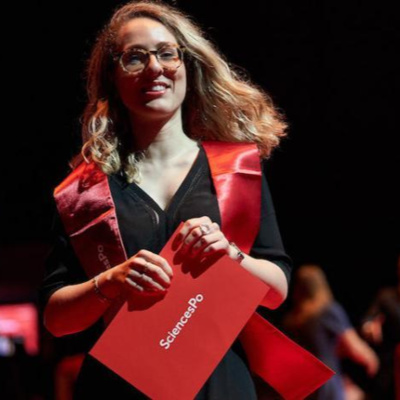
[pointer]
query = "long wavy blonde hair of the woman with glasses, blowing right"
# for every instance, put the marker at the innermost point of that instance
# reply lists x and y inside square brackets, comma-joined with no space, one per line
[220,105]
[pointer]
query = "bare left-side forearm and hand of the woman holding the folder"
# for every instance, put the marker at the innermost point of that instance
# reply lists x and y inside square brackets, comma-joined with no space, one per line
[74,308]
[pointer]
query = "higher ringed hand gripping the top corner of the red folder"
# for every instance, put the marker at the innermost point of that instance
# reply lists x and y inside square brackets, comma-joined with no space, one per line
[200,237]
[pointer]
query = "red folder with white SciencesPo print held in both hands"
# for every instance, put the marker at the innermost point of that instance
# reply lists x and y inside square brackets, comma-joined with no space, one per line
[167,347]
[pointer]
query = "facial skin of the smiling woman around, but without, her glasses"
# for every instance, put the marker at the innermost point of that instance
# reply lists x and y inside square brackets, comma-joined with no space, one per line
[155,92]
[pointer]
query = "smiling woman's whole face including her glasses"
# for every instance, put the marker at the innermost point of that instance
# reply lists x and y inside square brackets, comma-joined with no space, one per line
[155,88]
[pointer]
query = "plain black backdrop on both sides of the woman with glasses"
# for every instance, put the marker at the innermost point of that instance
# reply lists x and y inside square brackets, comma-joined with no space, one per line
[332,68]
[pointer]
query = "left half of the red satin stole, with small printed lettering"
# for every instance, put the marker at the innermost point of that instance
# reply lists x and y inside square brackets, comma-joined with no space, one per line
[88,213]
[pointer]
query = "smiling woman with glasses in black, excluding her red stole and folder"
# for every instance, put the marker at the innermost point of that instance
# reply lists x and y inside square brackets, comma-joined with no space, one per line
[158,92]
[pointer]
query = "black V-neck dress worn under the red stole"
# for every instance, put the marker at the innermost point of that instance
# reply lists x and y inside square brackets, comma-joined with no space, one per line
[144,225]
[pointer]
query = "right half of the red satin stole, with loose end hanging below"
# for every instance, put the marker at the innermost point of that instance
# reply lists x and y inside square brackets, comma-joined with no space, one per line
[236,173]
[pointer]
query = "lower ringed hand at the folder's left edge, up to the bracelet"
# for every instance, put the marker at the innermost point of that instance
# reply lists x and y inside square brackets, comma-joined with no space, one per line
[145,273]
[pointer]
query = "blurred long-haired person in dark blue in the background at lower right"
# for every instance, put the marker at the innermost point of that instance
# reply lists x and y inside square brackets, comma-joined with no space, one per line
[321,325]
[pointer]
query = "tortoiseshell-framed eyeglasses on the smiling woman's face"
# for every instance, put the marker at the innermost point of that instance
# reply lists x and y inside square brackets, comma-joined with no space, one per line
[134,60]
